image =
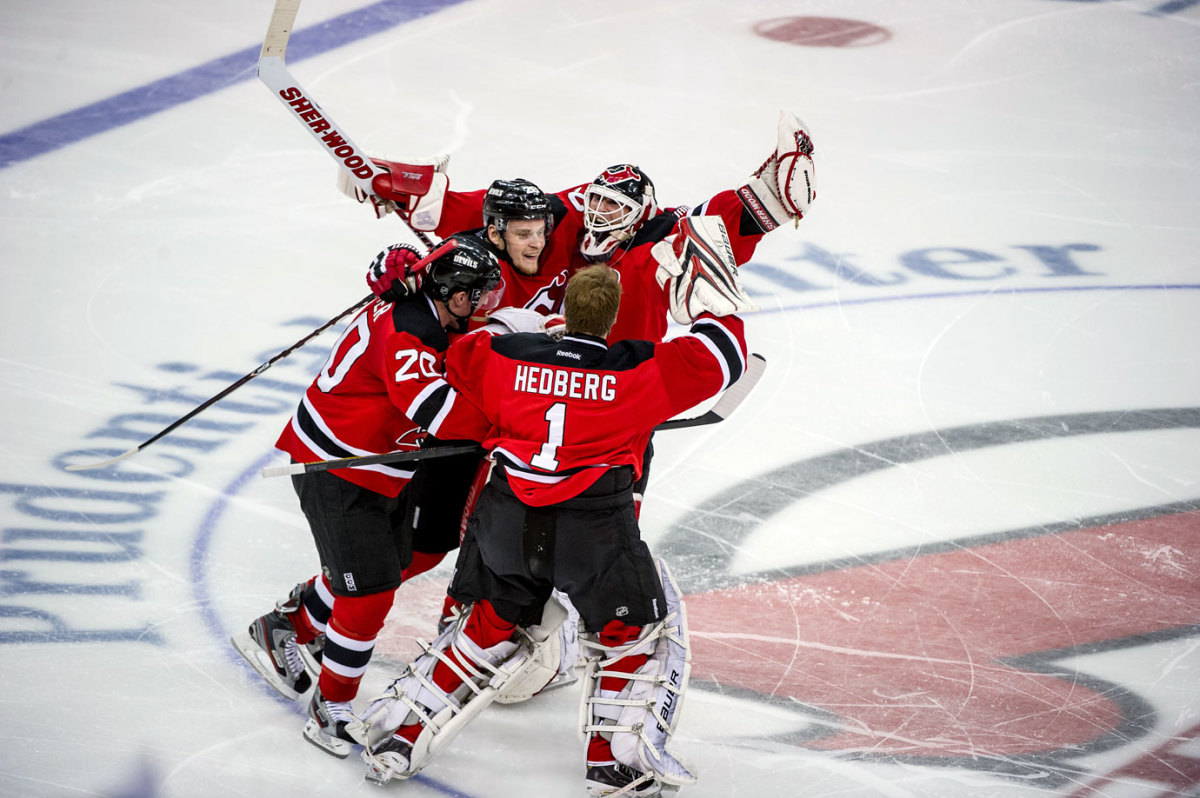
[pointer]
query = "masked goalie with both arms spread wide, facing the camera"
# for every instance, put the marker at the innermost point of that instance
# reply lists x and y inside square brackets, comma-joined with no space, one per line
[615,219]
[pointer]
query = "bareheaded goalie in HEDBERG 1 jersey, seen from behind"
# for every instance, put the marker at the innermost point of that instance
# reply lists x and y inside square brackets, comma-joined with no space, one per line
[567,422]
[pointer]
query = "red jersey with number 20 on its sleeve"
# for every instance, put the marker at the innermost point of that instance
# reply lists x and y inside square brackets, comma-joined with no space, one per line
[380,388]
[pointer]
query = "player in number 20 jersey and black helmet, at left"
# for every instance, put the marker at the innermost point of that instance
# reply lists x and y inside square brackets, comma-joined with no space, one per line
[380,386]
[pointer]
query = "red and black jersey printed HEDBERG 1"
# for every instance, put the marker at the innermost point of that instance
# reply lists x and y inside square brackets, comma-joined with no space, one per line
[557,415]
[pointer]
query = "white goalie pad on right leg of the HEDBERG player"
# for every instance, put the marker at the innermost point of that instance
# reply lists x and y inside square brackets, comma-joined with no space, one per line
[643,717]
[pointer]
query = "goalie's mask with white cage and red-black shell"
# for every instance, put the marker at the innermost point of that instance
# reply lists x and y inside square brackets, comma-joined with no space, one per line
[615,207]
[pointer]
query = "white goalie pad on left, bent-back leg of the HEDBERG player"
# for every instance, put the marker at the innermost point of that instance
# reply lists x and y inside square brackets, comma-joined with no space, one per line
[416,699]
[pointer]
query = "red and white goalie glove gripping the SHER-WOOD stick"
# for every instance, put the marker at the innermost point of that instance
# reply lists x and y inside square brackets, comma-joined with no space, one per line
[415,191]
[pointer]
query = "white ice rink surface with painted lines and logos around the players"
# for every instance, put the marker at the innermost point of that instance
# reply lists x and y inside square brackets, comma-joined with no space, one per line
[950,547]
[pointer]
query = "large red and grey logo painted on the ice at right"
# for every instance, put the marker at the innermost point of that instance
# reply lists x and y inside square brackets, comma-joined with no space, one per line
[950,653]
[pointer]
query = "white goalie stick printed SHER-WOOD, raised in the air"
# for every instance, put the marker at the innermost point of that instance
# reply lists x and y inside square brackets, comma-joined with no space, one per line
[273,71]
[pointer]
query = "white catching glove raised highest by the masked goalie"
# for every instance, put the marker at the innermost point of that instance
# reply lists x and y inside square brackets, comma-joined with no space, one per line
[785,185]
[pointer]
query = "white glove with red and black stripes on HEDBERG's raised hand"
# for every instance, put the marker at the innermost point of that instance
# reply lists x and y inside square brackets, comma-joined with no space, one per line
[699,272]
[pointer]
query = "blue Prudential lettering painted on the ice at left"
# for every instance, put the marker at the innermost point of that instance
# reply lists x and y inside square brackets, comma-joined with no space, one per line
[86,536]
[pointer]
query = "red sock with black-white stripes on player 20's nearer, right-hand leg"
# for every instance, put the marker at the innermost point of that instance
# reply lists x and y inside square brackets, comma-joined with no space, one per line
[350,641]
